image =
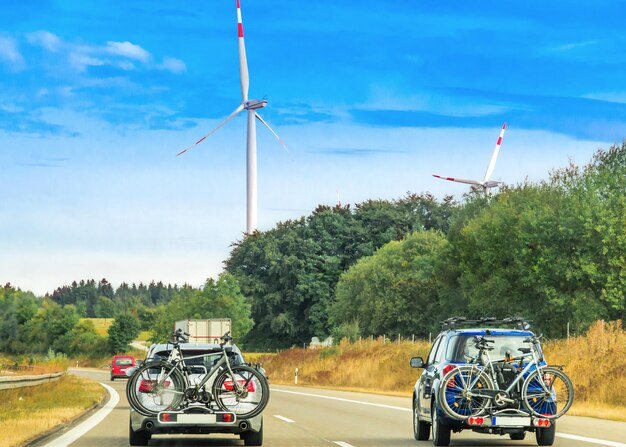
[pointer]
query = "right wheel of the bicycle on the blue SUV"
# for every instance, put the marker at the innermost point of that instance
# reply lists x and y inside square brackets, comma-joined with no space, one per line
[548,393]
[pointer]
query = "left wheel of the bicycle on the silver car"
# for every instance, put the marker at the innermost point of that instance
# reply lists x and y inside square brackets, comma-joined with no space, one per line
[155,387]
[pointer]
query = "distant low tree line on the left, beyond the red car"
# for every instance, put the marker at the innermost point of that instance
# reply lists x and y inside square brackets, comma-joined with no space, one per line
[57,322]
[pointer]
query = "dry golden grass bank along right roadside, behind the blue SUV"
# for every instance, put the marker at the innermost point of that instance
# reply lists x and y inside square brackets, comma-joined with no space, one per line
[595,362]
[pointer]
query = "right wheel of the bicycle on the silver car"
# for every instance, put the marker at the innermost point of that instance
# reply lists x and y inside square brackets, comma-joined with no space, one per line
[246,400]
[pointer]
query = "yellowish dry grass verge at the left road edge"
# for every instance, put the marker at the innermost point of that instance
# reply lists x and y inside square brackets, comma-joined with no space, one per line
[28,412]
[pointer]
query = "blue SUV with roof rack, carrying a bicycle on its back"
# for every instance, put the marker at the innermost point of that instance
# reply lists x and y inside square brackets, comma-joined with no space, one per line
[456,345]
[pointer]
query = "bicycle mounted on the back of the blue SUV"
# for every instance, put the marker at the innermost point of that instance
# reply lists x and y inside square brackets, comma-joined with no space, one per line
[474,389]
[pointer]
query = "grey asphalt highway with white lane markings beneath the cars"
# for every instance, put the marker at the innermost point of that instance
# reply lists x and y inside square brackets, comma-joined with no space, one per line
[298,416]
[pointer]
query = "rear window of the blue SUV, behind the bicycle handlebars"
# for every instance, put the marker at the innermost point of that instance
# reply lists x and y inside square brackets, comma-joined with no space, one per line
[461,347]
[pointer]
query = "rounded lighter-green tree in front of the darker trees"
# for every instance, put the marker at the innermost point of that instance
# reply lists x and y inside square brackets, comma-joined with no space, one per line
[395,291]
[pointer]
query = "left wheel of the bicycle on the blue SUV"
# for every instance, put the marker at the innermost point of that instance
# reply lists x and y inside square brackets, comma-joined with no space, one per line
[457,392]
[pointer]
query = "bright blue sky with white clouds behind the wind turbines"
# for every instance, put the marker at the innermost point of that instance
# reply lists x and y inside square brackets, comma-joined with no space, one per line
[371,98]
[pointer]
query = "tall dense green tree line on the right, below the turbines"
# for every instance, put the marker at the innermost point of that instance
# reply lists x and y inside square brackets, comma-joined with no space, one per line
[552,251]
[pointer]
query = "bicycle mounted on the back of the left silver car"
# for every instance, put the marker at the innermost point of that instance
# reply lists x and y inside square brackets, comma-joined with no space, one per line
[165,385]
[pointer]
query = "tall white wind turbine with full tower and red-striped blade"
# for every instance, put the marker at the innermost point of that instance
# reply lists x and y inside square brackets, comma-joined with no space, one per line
[251,105]
